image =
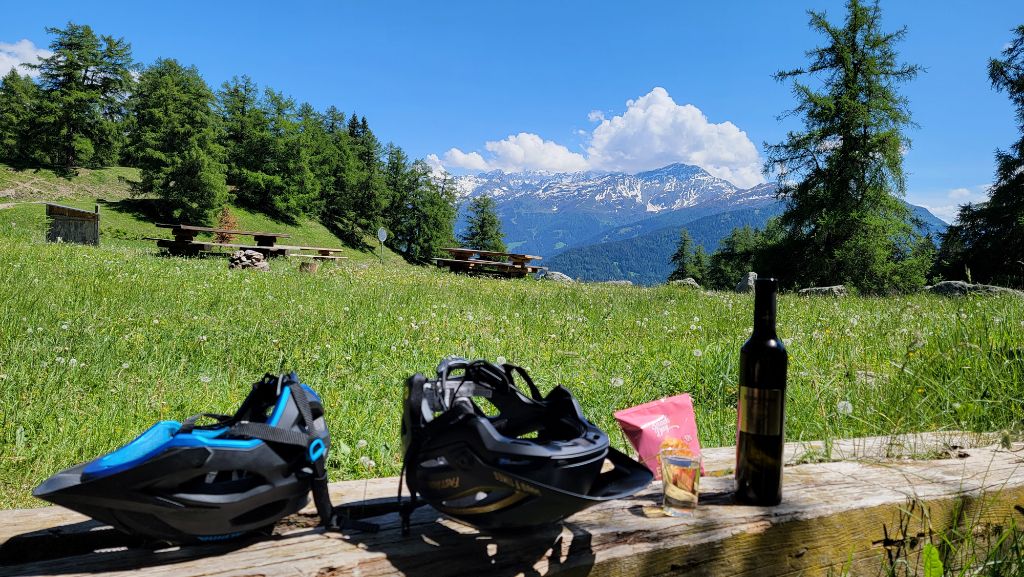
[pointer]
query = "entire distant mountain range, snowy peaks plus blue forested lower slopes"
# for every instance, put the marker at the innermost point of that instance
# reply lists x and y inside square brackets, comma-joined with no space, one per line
[614,226]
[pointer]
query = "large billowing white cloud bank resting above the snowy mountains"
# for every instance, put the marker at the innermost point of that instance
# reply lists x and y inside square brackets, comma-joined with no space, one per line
[654,132]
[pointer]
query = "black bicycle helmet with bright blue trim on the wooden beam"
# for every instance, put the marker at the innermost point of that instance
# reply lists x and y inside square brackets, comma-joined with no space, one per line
[181,482]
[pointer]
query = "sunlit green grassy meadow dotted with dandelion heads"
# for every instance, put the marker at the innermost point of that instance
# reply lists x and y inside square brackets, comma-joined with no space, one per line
[97,344]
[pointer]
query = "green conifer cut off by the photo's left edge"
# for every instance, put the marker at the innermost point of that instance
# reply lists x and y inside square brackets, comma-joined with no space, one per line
[19,99]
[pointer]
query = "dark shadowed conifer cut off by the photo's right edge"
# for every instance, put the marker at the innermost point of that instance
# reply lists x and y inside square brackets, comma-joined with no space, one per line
[989,238]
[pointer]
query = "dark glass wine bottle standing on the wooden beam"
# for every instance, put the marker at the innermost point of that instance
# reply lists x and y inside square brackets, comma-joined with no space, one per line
[761,427]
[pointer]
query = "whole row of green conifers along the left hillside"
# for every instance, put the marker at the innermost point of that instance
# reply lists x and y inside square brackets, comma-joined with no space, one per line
[197,148]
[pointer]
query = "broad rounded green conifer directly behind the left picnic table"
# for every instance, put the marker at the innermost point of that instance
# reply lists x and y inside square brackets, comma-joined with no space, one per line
[176,139]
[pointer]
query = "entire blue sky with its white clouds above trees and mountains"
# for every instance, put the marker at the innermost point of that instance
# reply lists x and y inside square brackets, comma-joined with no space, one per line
[573,86]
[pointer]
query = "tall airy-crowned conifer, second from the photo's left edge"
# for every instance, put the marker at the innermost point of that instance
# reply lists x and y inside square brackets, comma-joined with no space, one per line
[87,83]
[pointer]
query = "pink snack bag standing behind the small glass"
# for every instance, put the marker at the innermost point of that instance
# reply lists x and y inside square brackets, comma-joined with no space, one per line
[649,426]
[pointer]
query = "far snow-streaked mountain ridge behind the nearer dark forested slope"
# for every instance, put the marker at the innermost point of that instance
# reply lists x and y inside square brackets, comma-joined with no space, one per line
[546,213]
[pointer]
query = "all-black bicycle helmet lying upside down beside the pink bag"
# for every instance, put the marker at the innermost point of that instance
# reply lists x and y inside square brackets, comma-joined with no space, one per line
[537,462]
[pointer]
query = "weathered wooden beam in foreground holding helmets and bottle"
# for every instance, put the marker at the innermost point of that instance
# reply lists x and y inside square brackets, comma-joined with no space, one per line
[881,499]
